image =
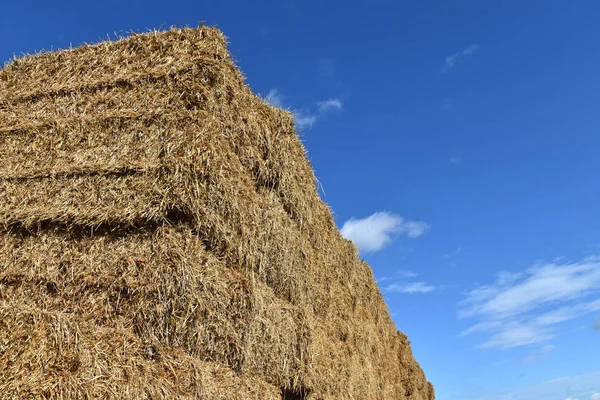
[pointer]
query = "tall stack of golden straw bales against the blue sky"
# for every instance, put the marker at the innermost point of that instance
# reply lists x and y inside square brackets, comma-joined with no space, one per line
[161,236]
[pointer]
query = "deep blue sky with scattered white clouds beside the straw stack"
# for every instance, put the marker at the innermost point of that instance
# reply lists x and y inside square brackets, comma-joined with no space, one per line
[457,144]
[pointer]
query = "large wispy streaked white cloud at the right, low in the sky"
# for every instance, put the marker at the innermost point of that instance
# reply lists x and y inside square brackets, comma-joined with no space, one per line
[524,308]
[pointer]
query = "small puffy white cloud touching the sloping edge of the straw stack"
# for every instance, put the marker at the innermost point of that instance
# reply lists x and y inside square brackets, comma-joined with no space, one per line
[372,233]
